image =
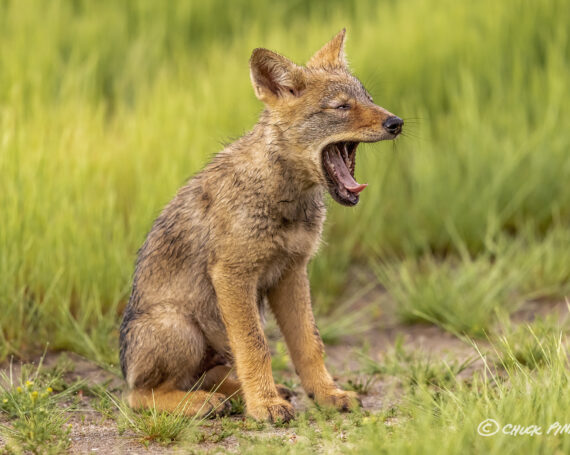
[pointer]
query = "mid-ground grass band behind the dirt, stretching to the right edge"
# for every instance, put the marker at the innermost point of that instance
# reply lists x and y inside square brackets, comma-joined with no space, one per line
[469,294]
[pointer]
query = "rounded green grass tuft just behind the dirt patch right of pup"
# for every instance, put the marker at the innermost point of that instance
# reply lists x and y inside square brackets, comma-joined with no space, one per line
[461,296]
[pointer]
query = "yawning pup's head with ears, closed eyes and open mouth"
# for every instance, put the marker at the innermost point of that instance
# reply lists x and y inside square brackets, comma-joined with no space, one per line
[324,112]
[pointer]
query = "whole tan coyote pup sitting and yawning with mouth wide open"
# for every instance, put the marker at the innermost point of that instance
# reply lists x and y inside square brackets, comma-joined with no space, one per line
[239,236]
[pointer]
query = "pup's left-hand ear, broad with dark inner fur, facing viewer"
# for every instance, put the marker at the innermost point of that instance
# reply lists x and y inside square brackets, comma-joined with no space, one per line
[273,76]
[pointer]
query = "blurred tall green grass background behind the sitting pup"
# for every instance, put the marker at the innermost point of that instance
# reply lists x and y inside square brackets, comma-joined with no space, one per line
[106,108]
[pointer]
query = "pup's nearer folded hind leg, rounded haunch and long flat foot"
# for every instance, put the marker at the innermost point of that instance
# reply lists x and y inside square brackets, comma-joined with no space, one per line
[163,352]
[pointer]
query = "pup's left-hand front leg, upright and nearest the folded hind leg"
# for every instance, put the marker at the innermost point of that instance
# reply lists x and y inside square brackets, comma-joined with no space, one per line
[237,300]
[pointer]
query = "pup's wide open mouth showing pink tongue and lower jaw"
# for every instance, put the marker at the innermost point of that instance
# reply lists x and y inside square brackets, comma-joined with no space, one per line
[339,159]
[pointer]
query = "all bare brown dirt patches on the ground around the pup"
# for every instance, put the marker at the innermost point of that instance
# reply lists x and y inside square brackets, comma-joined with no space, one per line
[93,433]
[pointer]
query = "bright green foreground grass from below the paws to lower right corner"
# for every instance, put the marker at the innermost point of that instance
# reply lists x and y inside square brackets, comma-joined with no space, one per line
[438,410]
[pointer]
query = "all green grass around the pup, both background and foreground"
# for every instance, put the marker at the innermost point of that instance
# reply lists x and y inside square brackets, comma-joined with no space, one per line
[107,108]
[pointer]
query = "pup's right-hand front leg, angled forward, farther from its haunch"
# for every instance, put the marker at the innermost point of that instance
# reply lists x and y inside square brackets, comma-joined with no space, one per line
[290,301]
